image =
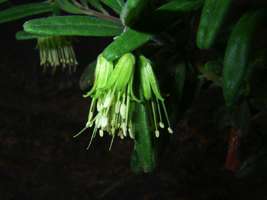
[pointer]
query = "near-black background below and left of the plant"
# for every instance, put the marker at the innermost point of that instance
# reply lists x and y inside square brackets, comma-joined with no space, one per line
[39,159]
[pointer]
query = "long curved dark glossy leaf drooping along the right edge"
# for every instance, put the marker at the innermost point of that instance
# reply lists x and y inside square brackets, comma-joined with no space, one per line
[236,68]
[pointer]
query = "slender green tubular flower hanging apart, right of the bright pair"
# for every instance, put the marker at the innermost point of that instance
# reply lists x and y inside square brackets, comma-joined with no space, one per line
[151,93]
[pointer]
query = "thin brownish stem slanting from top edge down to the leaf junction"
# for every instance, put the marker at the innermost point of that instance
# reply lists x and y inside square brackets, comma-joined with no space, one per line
[91,12]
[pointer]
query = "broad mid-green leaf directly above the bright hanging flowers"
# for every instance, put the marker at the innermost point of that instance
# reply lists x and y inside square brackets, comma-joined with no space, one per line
[126,42]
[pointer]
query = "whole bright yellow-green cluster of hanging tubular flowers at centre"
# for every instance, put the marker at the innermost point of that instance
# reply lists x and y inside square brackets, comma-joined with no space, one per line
[112,96]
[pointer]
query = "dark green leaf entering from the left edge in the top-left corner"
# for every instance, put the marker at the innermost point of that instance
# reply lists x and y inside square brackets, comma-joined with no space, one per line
[24,10]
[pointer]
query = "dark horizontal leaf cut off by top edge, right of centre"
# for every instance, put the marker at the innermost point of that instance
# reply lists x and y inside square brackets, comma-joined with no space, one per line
[181,5]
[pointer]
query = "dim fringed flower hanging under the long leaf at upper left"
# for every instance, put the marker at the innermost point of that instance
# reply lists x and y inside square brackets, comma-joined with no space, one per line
[55,51]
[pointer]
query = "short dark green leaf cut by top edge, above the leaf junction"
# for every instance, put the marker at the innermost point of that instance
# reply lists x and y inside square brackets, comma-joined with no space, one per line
[133,10]
